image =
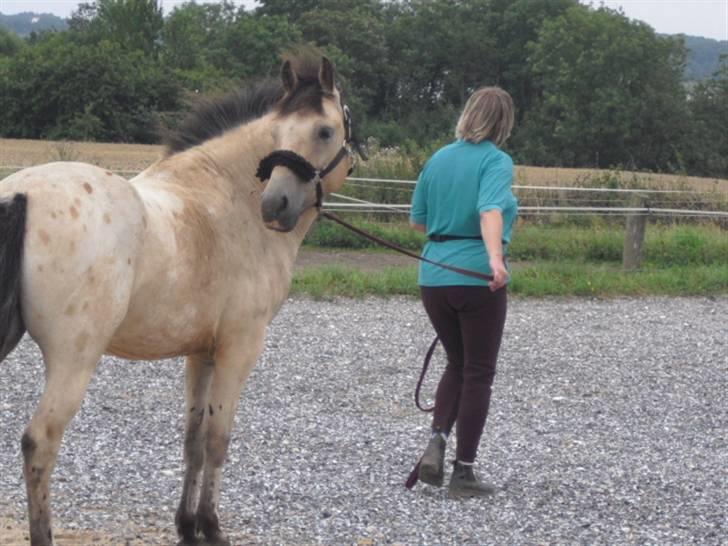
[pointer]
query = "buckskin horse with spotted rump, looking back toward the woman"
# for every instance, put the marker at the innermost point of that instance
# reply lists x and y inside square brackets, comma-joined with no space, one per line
[193,257]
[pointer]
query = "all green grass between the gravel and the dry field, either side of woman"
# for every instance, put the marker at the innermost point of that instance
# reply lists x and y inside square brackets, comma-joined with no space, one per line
[550,261]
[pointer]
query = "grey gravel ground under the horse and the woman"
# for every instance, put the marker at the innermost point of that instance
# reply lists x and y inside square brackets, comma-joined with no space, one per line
[608,425]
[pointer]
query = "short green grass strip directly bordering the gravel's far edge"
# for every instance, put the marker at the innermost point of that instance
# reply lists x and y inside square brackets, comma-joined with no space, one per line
[537,280]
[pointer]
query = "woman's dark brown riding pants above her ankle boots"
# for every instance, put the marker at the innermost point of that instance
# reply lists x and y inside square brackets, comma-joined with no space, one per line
[469,321]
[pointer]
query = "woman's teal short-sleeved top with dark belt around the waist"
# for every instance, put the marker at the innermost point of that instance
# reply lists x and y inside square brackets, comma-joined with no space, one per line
[459,182]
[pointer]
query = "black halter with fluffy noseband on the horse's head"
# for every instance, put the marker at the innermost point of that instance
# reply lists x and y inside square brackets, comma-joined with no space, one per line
[302,168]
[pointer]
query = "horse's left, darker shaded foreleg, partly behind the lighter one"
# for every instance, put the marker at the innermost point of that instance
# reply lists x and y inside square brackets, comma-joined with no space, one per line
[199,373]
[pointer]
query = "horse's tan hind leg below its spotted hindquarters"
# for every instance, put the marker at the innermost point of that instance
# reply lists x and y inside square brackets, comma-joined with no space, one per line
[66,382]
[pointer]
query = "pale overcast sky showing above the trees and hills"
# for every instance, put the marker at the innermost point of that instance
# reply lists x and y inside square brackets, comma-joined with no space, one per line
[707,18]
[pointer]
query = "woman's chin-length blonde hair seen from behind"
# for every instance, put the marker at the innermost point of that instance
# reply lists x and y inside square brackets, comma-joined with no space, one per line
[488,114]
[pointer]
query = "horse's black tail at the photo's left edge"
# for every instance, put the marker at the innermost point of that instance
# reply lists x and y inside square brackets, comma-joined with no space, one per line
[12,234]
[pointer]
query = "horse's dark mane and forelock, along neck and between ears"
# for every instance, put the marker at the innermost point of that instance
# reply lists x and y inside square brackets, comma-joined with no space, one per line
[210,117]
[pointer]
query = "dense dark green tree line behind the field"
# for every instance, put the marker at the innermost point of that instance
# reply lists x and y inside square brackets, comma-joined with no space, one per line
[592,88]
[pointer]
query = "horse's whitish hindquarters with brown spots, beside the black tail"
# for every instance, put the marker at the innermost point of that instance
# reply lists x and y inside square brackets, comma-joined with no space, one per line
[83,230]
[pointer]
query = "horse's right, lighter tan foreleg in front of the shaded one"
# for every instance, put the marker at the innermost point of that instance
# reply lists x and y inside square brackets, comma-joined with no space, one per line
[232,368]
